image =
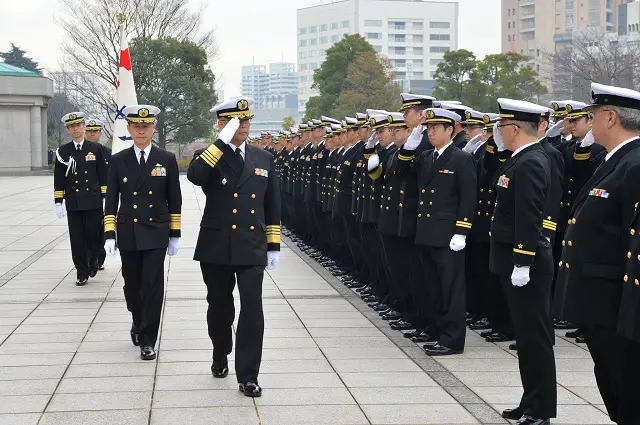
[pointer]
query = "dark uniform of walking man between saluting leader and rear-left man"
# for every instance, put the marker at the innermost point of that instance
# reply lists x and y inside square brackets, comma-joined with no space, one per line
[149,214]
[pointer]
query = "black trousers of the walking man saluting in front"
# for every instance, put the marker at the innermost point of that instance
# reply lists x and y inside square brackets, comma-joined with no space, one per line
[220,281]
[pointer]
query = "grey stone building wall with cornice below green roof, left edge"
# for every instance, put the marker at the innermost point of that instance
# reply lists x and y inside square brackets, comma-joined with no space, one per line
[23,123]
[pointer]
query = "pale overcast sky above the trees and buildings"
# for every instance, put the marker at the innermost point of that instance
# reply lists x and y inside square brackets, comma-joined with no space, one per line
[256,31]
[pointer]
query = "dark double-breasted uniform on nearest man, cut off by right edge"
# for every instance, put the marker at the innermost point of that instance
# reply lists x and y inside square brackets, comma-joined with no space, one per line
[592,282]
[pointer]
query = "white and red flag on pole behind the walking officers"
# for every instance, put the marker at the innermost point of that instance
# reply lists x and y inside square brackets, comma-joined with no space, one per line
[126,96]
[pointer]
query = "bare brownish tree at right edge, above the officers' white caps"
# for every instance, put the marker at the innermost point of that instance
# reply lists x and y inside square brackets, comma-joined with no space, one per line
[594,57]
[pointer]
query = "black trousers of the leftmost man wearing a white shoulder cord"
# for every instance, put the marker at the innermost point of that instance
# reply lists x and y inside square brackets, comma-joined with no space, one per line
[84,234]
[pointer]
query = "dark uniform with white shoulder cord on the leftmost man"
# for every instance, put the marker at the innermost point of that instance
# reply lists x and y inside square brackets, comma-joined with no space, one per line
[82,190]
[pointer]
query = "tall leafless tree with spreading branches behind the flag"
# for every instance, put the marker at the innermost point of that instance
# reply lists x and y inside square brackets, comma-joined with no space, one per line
[93,45]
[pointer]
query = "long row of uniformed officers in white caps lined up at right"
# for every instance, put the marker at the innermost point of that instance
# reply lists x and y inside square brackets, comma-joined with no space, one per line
[441,209]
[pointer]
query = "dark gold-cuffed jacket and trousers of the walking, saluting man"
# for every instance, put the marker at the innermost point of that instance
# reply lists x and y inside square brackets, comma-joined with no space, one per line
[241,222]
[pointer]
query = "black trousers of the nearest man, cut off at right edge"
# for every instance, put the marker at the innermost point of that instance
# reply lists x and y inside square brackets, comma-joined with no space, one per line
[617,372]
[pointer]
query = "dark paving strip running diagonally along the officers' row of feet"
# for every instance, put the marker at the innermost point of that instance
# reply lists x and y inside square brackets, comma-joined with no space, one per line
[480,411]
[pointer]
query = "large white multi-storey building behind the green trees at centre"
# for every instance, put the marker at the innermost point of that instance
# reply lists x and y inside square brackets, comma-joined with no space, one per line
[413,34]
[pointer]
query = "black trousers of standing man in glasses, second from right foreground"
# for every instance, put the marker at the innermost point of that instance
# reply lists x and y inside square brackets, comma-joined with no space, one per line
[529,307]
